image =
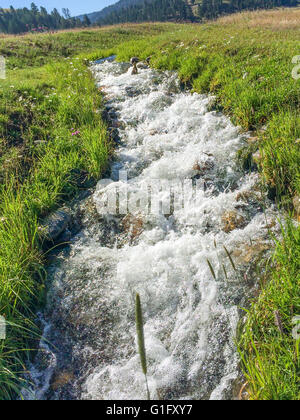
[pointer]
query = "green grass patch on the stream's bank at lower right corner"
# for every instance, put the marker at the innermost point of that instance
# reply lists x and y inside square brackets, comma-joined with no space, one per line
[270,355]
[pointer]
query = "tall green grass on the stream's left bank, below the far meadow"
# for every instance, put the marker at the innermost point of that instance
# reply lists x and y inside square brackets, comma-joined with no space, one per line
[71,103]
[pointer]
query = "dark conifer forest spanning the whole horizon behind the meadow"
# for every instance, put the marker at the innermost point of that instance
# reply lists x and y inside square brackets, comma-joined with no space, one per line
[16,21]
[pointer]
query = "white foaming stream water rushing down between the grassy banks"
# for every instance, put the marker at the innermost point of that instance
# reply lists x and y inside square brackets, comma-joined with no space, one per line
[191,291]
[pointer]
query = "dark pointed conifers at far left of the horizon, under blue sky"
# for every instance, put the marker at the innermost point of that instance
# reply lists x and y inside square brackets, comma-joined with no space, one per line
[16,21]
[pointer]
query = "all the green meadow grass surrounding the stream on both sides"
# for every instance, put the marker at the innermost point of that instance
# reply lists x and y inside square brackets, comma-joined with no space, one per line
[245,61]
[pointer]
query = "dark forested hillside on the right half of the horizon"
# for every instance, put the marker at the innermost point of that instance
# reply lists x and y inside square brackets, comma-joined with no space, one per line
[180,10]
